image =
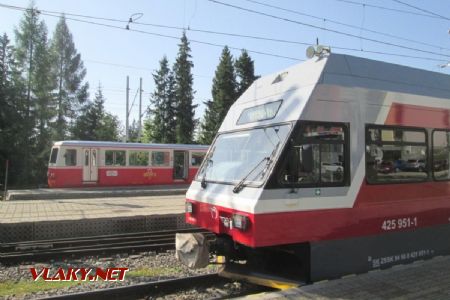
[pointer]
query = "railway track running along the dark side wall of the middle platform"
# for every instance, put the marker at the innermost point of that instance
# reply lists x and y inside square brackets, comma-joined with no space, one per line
[95,245]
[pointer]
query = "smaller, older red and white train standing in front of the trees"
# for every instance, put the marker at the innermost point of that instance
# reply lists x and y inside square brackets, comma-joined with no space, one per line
[91,163]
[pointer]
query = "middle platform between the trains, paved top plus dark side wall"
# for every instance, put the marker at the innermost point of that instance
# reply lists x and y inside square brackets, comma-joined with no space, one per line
[64,218]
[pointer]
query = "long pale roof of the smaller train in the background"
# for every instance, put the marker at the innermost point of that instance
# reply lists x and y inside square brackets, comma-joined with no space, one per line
[129,145]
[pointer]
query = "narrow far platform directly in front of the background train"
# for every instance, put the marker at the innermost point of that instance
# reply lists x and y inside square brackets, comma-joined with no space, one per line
[96,192]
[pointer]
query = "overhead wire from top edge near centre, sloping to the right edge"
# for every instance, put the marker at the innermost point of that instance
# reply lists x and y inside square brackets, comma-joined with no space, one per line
[326,29]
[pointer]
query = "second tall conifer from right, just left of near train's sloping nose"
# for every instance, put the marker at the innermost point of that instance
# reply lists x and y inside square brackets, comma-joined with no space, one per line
[224,93]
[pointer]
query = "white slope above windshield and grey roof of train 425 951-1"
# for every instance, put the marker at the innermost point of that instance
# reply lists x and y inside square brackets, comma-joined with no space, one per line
[295,85]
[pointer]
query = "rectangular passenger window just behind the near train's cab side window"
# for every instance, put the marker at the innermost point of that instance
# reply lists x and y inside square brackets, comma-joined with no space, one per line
[396,154]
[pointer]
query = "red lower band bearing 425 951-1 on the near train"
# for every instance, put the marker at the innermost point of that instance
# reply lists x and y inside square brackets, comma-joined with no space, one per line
[271,229]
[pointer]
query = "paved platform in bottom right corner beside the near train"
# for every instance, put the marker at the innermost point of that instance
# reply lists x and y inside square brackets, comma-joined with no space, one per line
[427,280]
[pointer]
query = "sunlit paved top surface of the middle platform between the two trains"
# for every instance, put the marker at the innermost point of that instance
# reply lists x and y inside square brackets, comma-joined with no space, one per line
[77,209]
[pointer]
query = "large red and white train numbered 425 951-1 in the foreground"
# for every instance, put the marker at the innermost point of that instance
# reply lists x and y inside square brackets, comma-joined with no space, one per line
[337,165]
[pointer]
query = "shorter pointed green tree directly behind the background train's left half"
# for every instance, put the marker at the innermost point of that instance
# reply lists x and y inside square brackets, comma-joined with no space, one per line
[94,123]
